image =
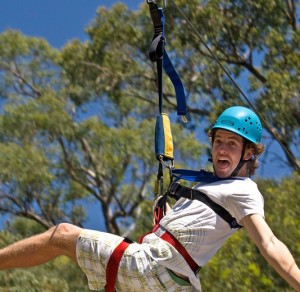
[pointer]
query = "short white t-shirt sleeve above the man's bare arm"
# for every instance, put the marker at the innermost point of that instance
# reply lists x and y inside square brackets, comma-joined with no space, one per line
[241,205]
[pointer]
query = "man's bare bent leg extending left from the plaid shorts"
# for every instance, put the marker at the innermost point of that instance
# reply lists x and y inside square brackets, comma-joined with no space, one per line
[38,249]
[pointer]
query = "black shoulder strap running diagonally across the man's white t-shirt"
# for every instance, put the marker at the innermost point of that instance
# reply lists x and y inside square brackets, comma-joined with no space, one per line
[178,191]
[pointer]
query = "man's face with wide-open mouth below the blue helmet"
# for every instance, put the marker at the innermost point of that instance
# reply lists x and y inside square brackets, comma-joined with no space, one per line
[226,153]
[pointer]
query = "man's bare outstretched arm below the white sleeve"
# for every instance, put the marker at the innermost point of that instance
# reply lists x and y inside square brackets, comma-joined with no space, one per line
[273,250]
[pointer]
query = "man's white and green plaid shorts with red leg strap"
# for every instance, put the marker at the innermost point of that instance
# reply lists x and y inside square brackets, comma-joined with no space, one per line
[137,270]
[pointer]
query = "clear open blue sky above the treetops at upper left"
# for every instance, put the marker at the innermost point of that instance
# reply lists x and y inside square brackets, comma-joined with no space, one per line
[58,21]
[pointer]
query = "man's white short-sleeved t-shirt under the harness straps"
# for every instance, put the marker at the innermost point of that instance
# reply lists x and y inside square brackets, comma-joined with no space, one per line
[199,229]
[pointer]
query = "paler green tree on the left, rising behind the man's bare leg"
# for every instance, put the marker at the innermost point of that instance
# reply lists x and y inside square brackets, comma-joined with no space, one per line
[54,155]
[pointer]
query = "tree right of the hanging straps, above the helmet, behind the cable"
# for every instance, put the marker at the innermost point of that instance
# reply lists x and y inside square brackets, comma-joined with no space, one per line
[255,42]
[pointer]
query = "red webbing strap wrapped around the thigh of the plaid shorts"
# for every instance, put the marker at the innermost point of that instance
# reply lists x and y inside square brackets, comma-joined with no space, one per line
[113,265]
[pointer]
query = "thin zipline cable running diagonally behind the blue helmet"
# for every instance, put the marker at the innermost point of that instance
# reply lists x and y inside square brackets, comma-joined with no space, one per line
[268,126]
